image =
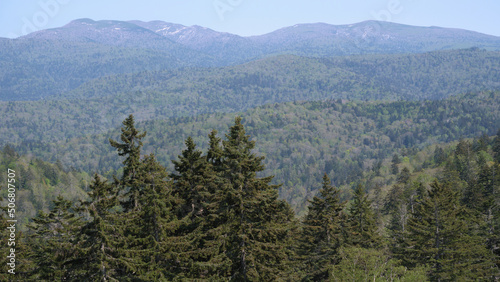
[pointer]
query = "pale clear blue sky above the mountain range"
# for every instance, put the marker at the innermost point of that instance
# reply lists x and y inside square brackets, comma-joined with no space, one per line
[250,17]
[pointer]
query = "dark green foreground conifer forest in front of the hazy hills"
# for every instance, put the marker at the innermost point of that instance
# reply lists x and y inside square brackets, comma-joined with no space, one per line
[216,216]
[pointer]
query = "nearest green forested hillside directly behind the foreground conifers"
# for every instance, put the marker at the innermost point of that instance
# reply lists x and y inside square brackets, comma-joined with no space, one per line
[301,141]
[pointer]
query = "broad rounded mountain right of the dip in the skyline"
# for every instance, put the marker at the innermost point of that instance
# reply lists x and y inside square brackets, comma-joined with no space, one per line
[371,37]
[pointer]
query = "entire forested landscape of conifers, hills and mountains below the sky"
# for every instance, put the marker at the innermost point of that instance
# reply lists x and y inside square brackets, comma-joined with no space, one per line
[150,151]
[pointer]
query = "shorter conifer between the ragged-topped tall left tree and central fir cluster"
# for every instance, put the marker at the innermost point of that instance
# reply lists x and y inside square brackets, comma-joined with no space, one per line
[153,225]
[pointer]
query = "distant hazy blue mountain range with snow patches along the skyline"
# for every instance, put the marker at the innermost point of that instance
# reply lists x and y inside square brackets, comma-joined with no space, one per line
[56,61]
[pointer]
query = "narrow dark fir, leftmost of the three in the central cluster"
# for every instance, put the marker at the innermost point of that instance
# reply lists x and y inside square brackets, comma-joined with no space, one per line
[194,183]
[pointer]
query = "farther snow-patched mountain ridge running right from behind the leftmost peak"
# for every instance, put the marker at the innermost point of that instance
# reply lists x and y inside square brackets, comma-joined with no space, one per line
[320,39]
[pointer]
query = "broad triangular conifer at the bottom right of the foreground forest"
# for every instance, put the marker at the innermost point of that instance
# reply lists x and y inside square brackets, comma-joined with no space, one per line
[439,235]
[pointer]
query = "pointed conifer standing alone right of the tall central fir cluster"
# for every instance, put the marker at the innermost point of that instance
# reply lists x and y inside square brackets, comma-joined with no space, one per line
[322,232]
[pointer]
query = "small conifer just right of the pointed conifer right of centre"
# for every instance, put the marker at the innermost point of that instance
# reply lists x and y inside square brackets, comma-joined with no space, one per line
[361,224]
